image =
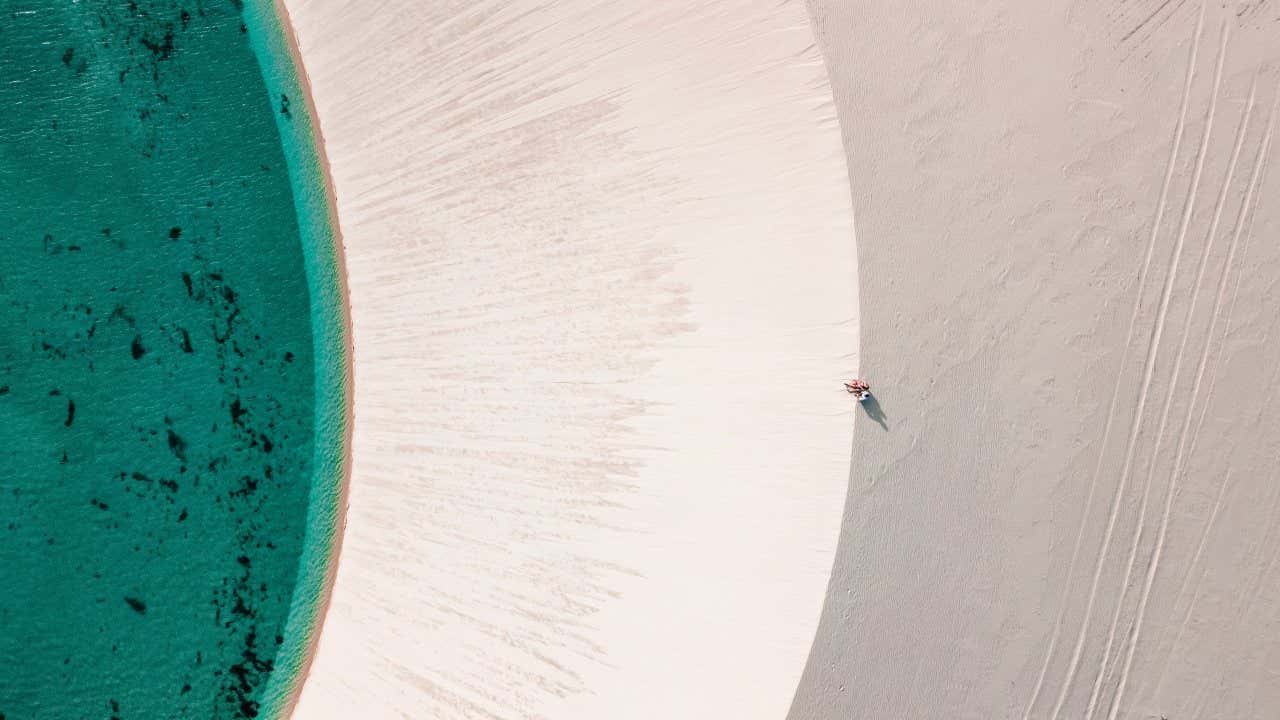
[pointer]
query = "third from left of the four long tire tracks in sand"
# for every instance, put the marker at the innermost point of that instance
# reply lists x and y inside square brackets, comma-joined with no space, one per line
[1203,266]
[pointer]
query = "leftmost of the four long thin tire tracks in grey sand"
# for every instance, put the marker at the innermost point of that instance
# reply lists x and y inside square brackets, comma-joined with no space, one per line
[1144,276]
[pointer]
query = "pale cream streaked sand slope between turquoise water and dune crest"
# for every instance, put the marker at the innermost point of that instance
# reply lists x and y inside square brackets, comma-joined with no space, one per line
[604,293]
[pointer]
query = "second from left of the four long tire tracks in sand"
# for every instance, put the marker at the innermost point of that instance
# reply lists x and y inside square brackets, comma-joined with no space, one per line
[1149,372]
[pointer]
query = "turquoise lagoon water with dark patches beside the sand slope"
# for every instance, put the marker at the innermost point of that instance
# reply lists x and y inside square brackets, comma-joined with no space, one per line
[171,362]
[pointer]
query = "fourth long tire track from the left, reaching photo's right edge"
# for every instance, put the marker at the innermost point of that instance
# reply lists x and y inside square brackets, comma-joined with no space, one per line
[1182,440]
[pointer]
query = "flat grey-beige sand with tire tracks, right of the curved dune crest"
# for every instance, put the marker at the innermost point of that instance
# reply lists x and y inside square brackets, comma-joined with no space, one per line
[1068,224]
